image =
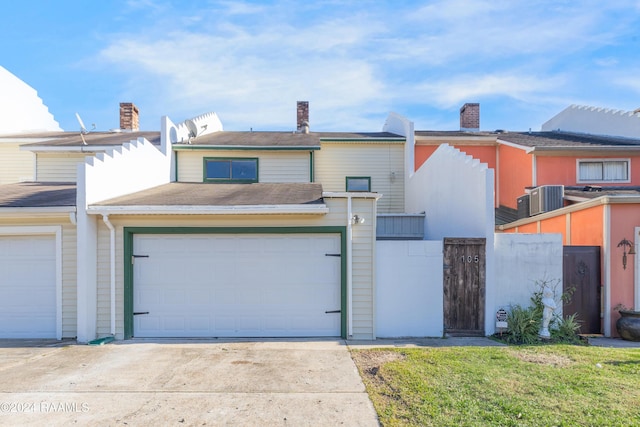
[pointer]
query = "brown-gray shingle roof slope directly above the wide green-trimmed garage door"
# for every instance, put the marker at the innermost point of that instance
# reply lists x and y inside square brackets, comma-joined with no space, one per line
[206,194]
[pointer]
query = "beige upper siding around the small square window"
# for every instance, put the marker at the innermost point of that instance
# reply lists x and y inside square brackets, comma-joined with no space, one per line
[382,161]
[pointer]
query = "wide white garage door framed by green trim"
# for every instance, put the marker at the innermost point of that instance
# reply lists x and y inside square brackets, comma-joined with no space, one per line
[236,285]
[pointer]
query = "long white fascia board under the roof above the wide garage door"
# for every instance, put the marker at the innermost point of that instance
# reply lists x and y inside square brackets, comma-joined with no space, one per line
[211,210]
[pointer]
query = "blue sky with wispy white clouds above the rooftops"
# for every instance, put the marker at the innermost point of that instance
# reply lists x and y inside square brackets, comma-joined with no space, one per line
[354,61]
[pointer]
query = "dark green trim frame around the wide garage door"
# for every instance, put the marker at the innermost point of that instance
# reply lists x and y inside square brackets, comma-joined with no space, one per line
[130,232]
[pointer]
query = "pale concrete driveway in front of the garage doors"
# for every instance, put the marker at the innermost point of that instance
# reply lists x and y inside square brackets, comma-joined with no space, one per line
[188,382]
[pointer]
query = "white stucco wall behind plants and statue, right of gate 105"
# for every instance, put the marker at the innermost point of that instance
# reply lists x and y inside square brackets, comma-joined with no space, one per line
[521,260]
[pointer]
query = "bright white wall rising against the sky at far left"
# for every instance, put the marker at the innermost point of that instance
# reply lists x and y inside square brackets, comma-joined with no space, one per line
[21,110]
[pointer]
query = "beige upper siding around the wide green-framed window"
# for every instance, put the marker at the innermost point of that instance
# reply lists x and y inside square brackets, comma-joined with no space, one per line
[273,166]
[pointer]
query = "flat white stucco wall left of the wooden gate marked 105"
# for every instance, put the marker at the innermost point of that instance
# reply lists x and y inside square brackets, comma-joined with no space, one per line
[409,289]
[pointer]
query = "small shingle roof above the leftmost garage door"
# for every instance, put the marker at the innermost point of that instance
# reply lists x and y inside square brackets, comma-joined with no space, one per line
[37,195]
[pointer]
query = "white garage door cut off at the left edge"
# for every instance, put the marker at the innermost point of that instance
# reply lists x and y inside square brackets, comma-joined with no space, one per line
[27,287]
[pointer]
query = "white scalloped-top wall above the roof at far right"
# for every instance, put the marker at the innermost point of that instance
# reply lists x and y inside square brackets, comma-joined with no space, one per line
[596,121]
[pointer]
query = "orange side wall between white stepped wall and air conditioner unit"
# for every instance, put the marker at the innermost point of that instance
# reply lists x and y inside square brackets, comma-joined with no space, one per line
[514,175]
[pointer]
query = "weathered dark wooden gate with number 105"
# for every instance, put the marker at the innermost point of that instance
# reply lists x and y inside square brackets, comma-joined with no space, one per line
[464,286]
